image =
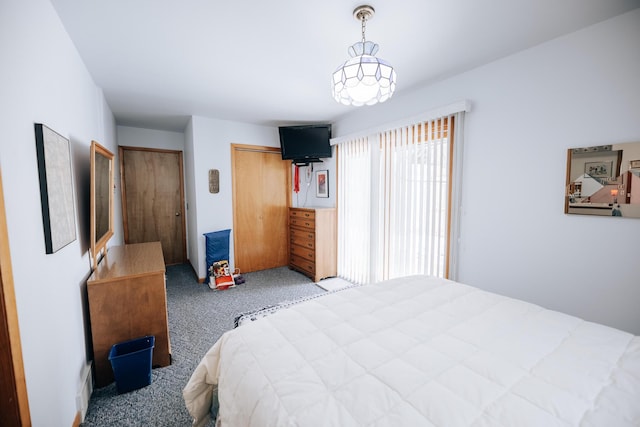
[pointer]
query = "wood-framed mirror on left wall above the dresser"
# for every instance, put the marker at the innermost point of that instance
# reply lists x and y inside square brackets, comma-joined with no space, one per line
[101,200]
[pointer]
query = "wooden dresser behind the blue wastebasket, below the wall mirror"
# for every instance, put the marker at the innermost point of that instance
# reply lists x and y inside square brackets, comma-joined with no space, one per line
[127,300]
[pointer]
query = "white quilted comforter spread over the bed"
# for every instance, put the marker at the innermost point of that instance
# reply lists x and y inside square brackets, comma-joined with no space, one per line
[419,351]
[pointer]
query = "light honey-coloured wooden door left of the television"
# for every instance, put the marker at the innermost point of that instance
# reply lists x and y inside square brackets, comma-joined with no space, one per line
[261,197]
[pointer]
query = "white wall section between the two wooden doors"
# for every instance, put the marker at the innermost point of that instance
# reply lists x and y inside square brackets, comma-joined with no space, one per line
[208,144]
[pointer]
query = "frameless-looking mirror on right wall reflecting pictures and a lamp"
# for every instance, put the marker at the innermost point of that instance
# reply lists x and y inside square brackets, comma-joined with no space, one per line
[604,180]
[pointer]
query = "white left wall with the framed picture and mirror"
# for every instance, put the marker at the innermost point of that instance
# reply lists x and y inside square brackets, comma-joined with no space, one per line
[43,80]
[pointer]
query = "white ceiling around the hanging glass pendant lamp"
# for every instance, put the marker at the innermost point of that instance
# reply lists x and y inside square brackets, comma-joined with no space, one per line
[270,62]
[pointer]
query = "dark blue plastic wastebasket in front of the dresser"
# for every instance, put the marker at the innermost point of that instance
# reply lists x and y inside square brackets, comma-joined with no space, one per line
[131,363]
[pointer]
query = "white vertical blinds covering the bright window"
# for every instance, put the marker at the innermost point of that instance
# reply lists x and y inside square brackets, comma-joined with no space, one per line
[395,202]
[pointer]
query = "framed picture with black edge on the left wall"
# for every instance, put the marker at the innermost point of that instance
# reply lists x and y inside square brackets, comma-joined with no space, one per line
[56,188]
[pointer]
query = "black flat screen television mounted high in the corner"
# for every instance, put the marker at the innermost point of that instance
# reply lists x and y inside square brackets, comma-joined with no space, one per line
[306,143]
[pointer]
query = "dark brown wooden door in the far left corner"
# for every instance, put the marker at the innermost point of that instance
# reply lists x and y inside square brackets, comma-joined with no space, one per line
[153,200]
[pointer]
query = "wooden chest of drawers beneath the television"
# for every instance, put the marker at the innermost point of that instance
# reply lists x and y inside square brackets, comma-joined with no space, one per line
[312,242]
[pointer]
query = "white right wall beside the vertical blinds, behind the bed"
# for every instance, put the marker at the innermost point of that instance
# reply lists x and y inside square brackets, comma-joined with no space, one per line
[528,109]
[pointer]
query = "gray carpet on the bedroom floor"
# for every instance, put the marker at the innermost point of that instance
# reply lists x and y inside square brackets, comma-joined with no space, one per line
[198,316]
